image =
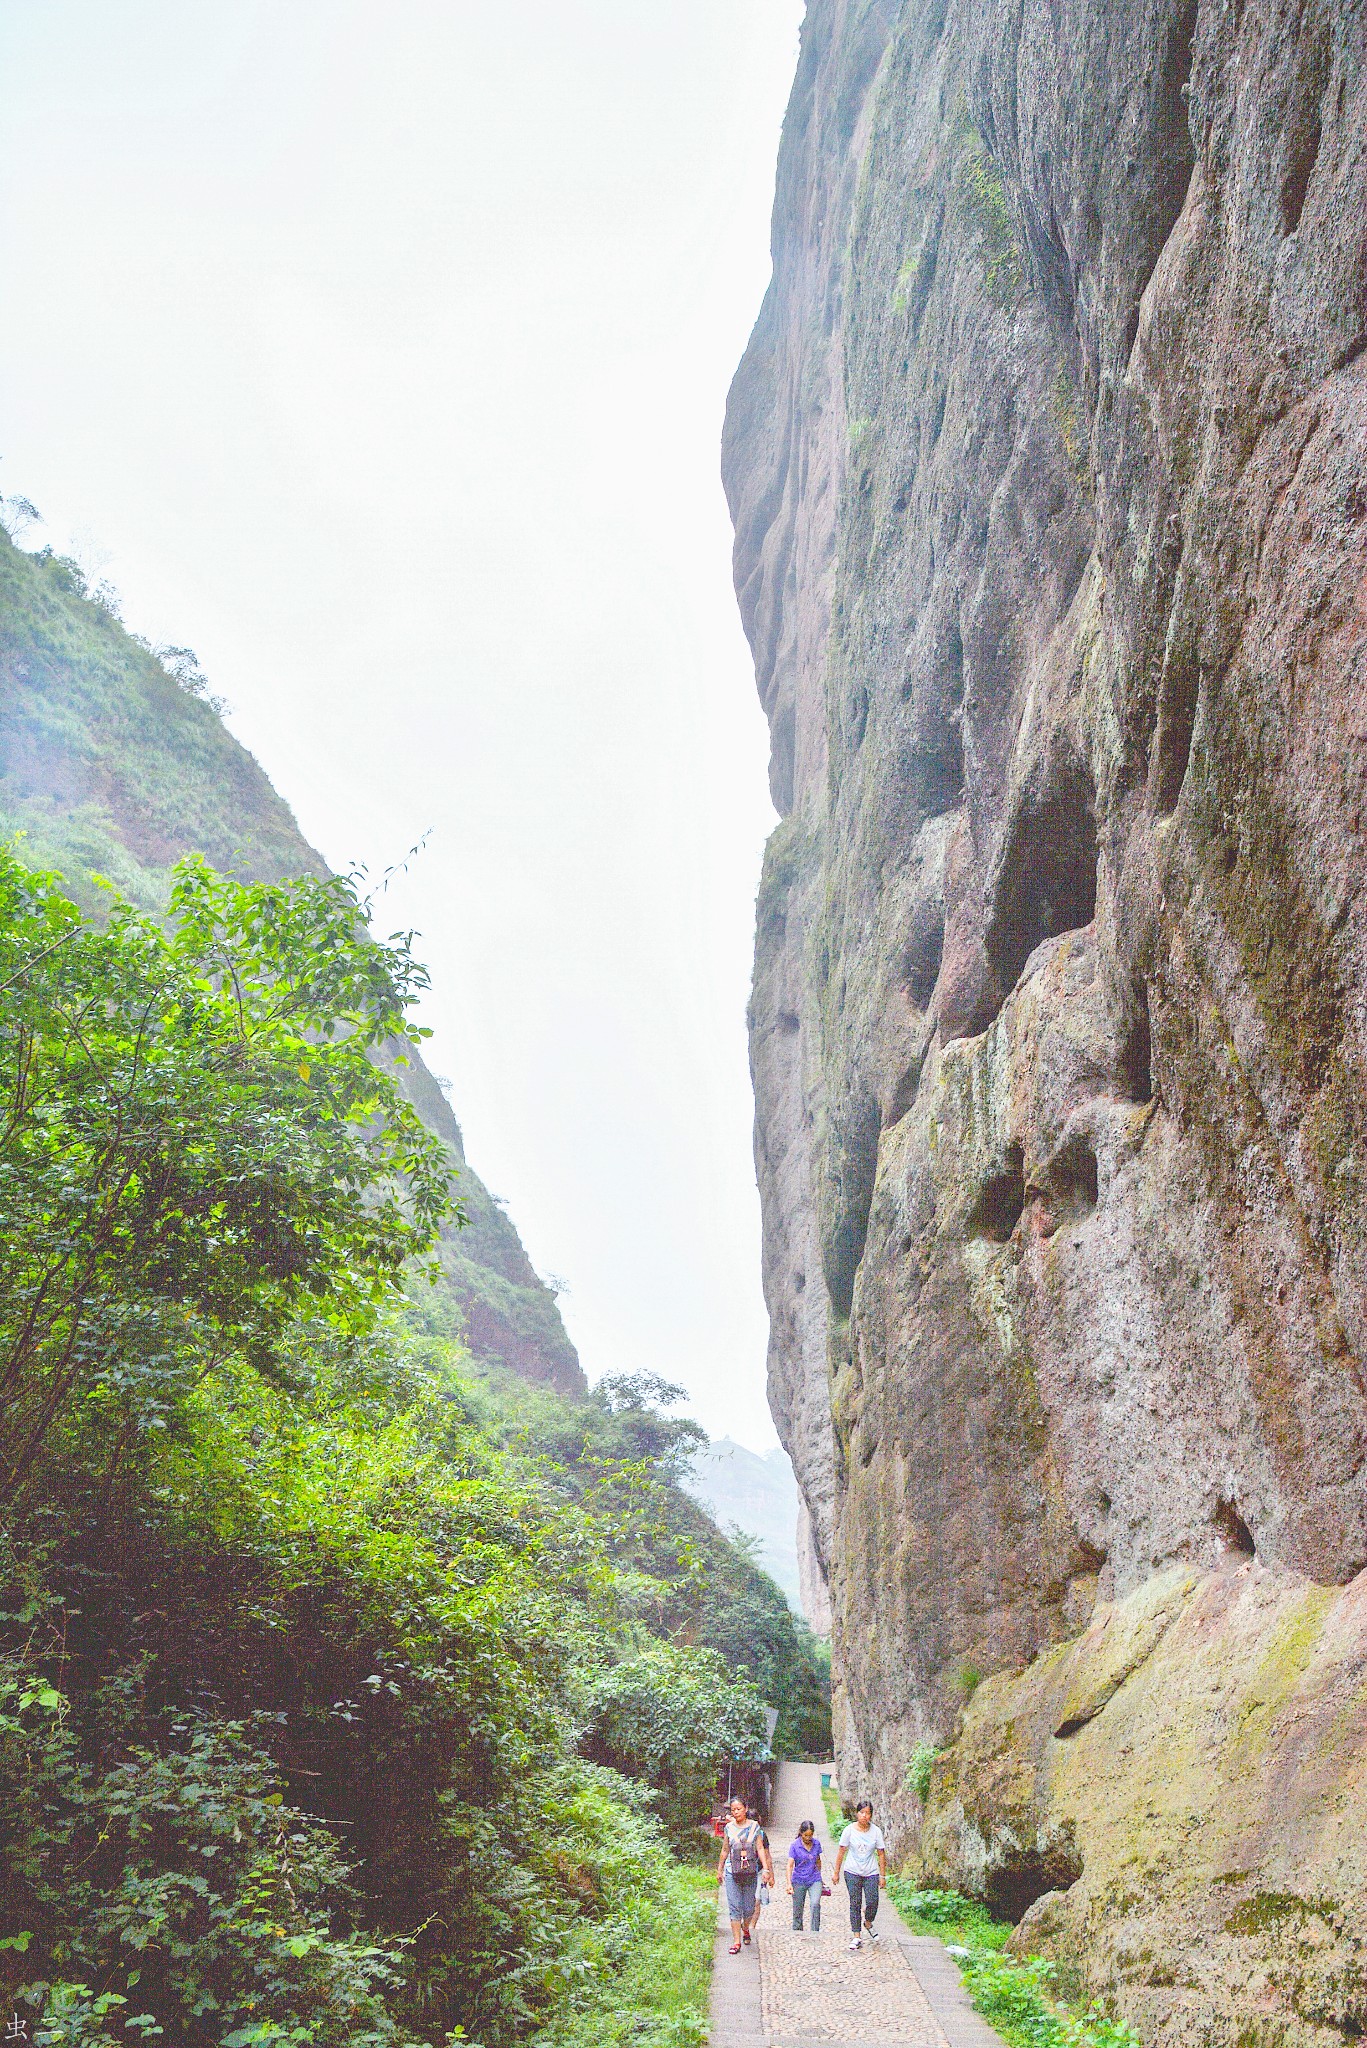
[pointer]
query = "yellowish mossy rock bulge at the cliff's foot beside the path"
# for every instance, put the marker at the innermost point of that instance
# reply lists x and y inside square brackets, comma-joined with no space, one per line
[1188,1781]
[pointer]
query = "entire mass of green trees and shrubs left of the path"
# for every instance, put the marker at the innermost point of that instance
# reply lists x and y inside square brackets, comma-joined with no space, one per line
[343,1695]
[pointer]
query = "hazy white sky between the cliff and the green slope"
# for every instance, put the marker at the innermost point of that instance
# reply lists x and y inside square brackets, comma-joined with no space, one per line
[380,353]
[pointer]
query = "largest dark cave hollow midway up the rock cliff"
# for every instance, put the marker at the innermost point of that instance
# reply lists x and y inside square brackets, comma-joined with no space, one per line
[1048,873]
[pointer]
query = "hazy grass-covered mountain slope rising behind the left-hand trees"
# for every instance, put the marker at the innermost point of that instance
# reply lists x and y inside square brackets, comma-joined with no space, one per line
[114,765]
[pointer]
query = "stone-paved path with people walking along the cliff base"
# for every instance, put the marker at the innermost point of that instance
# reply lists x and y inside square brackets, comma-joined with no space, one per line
[800,1990]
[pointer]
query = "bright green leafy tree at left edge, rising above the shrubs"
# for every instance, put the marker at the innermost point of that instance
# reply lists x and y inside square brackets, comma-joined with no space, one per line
[198,1140]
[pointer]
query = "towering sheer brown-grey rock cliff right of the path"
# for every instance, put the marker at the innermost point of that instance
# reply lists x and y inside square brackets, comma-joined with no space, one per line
[1048,464]
